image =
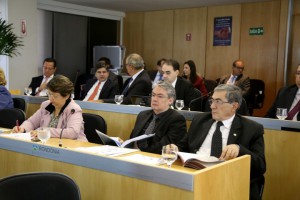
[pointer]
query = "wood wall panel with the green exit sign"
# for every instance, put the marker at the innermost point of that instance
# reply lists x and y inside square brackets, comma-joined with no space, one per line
[260,51]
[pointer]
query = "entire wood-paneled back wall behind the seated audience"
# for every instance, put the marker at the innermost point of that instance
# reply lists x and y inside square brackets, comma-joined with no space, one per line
[162,34]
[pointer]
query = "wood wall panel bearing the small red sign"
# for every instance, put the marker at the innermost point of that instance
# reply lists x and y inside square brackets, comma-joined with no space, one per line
[190,21]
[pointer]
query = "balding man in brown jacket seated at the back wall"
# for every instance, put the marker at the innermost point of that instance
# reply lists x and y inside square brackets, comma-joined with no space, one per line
[238,78]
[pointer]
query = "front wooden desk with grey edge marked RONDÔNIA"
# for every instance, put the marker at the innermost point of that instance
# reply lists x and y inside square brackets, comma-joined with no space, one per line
[101,177]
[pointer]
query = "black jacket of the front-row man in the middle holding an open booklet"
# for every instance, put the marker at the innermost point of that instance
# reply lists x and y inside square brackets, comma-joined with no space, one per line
[170,128]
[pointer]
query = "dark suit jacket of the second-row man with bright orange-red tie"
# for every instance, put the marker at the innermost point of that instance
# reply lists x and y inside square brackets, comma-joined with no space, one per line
[109,90]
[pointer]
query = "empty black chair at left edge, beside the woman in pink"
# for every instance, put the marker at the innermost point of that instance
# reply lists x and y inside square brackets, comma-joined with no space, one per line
[9,117]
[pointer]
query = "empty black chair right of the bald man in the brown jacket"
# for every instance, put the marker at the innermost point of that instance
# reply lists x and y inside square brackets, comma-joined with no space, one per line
[256,95]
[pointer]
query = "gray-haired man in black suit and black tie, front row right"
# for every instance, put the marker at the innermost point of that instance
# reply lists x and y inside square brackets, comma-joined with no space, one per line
[227,135]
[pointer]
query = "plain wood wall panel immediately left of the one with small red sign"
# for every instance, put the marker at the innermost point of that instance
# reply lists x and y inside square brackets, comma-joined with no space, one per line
[158,37]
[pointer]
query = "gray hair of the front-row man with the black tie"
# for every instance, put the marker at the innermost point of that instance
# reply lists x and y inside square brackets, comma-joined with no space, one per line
[233,93]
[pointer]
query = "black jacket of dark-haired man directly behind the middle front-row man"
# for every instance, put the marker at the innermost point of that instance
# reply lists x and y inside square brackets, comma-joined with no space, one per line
[185,91]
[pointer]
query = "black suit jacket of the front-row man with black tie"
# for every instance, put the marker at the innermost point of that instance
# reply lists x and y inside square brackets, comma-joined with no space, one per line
[244,132]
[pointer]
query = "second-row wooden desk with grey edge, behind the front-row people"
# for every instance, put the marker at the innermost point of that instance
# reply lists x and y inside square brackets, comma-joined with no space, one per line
[281,137]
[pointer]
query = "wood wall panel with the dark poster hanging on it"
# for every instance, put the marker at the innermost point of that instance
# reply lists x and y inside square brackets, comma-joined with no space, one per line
[219,58]
